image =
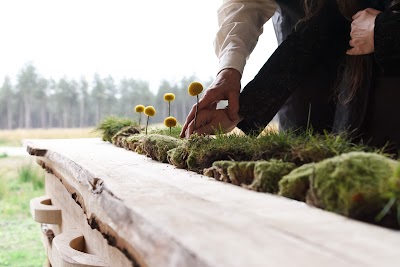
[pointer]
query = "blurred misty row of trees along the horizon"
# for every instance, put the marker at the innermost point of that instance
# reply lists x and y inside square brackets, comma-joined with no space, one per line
[36,102]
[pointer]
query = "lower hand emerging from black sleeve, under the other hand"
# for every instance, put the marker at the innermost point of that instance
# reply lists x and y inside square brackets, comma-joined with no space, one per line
[211,121]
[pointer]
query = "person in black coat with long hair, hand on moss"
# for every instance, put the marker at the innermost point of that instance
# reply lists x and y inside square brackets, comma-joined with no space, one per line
[366,89]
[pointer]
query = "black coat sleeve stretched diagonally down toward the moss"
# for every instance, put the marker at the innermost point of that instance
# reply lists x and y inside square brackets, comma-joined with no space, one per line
[323,37]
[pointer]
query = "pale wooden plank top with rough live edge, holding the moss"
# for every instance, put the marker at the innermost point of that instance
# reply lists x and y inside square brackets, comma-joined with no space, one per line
[172,217]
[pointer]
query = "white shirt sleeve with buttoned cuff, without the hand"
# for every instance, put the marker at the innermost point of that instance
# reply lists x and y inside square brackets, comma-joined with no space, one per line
[240,24]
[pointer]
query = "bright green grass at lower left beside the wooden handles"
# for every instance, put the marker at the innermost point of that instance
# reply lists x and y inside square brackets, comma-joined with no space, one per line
[20,181]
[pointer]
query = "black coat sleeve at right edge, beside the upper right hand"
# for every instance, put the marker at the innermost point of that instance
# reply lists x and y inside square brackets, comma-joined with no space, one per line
[387,41]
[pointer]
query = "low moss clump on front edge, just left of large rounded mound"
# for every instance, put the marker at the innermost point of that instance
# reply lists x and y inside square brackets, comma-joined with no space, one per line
[261,176]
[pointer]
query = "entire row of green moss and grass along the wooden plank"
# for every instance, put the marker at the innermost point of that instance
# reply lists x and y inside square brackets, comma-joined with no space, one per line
[314,168]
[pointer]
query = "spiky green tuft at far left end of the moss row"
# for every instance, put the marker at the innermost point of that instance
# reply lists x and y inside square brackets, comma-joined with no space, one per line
[112,124]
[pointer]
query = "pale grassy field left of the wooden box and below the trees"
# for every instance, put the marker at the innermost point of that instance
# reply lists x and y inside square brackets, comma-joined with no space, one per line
[20,180]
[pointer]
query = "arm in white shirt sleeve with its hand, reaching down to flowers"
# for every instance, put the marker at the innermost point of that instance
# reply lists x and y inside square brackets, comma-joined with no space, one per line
[241,23]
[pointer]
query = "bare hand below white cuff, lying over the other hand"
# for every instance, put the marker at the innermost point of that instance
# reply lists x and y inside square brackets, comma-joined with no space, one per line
[226,86]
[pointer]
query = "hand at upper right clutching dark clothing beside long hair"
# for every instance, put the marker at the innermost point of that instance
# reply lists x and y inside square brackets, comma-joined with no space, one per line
[362,32]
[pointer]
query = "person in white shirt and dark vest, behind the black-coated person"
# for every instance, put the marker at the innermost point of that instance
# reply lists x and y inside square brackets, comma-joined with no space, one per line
[235,41]
